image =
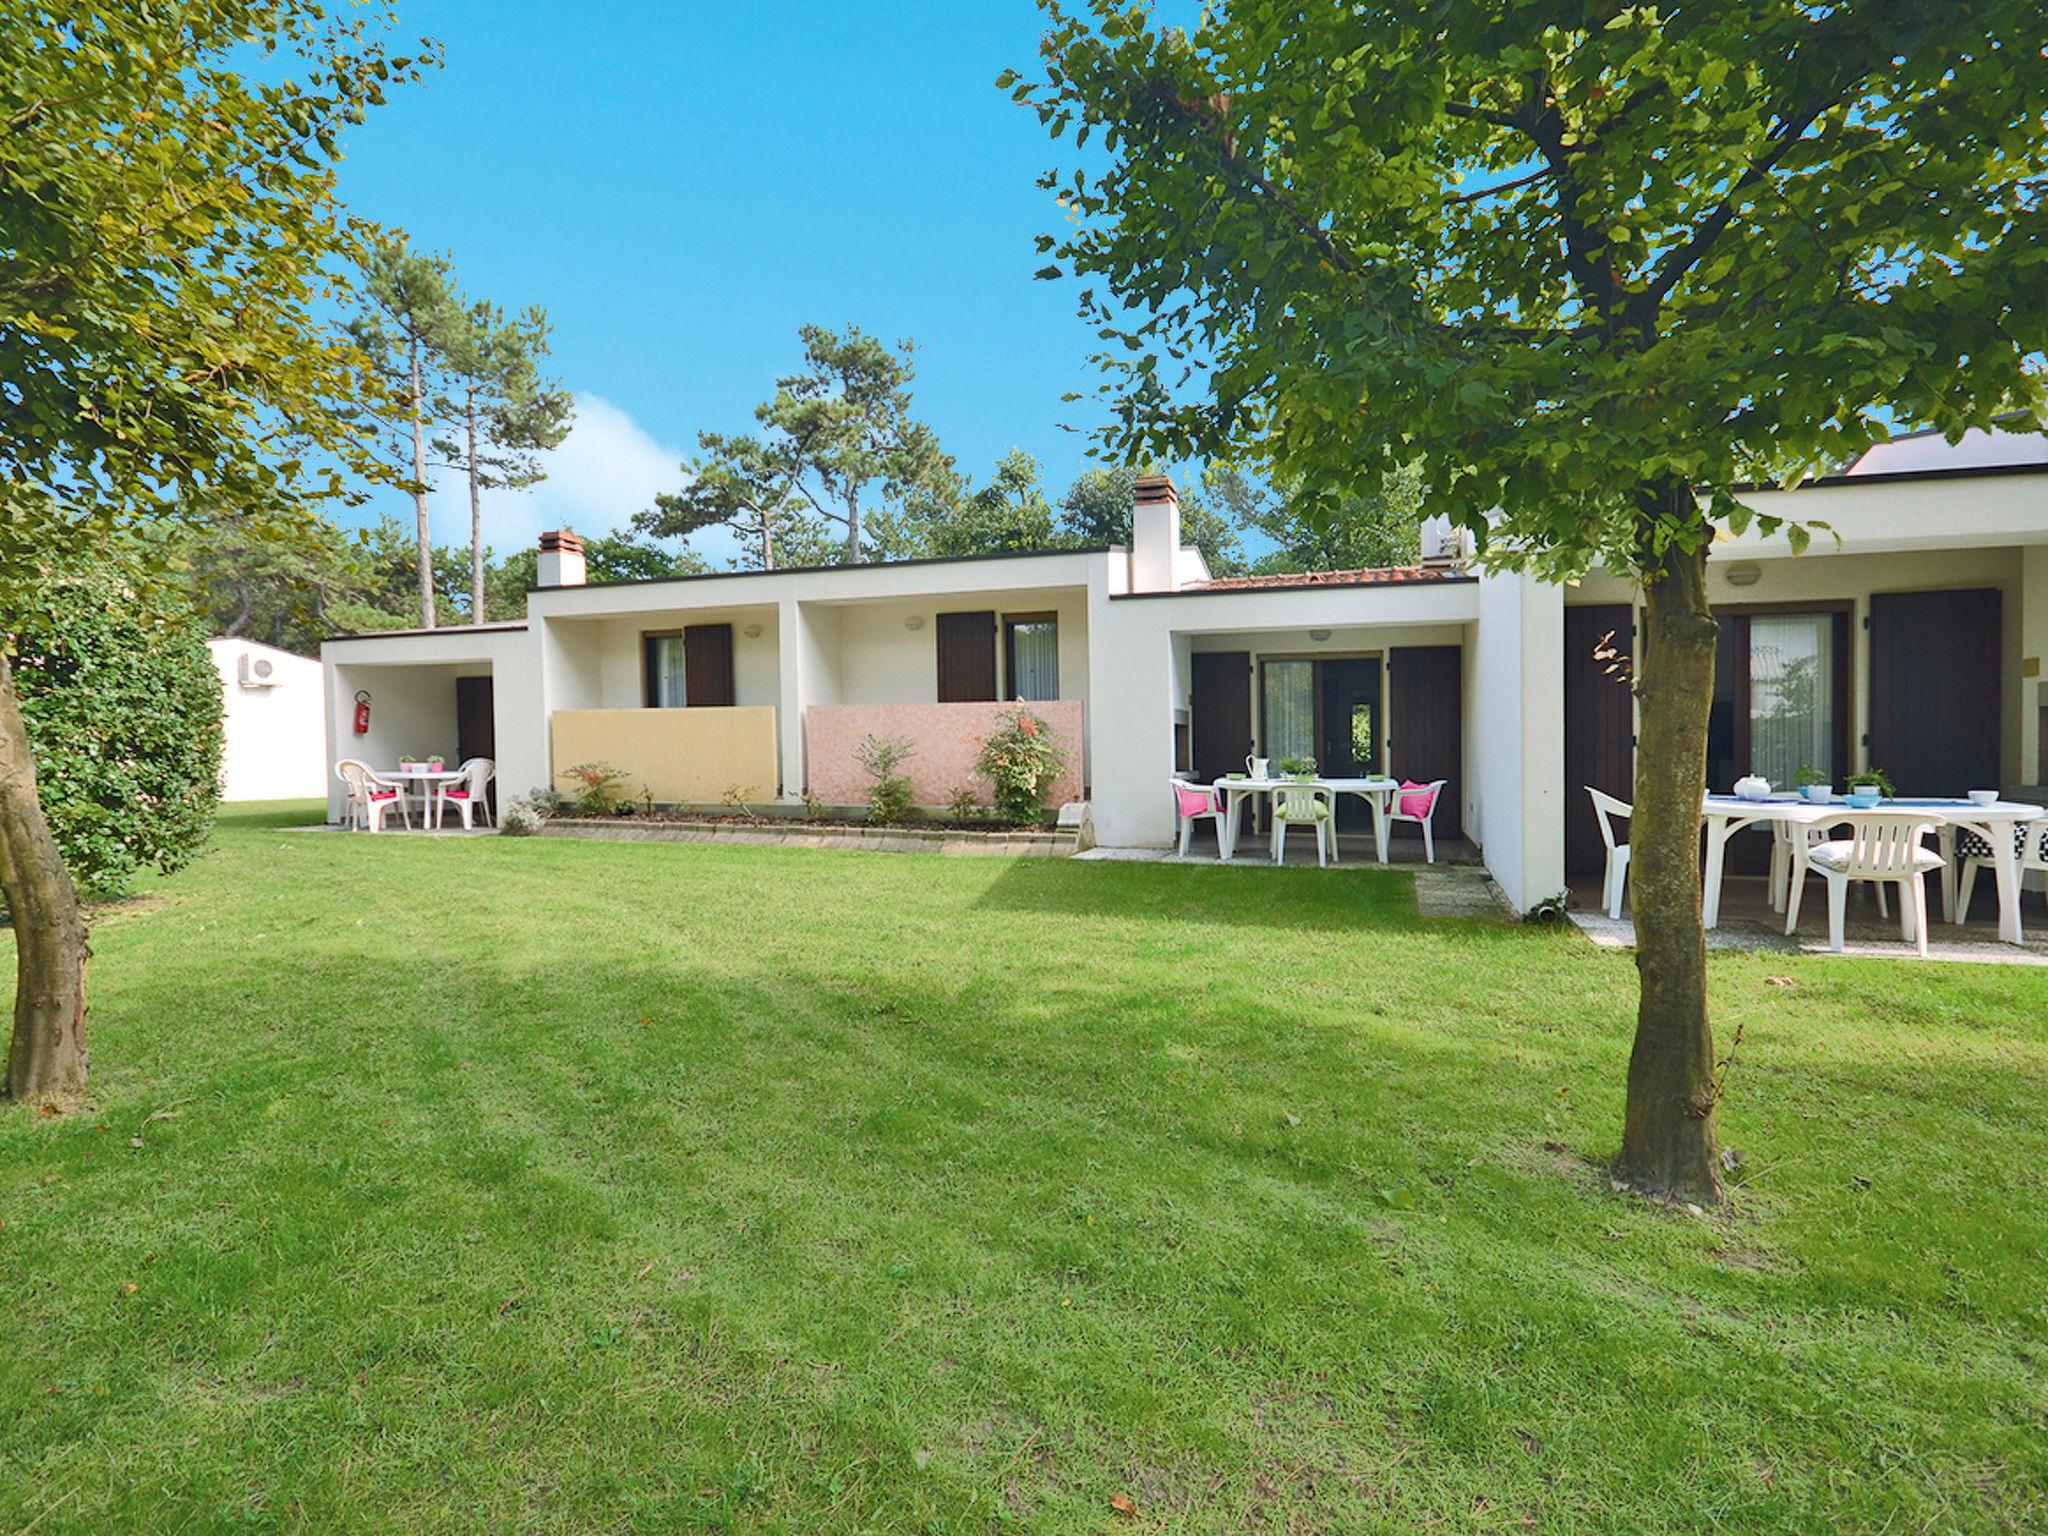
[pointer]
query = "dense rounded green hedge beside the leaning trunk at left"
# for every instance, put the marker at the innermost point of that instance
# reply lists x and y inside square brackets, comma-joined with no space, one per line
[124,708]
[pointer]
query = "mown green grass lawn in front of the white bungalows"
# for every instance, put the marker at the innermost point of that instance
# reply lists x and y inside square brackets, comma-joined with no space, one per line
[527,1185]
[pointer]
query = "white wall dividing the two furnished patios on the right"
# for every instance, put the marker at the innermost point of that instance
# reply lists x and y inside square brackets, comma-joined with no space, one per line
[1517,736]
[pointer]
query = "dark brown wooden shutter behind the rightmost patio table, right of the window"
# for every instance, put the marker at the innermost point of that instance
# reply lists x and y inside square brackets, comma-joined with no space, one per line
[1934,689]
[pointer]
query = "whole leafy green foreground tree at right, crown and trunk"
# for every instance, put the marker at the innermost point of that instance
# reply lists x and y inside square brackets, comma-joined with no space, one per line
[1594,267]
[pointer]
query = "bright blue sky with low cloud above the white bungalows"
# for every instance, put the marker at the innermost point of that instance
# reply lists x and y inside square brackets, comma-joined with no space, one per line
[683,185]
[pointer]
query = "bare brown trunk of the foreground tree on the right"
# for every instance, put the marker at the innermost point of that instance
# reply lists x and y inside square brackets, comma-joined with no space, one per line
[1668,1144]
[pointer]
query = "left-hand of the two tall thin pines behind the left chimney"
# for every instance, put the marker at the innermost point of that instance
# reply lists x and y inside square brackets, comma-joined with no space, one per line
[409,325]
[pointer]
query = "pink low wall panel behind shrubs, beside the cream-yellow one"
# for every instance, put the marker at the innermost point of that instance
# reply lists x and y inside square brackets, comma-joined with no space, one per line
[947,736]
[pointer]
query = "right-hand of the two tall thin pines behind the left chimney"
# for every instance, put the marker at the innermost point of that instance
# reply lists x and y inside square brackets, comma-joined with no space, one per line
[505,415]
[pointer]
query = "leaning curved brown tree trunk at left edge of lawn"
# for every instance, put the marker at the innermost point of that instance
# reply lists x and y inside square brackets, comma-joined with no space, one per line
[46,1062]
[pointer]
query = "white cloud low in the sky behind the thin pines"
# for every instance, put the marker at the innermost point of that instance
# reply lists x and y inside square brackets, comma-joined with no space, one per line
[607,470]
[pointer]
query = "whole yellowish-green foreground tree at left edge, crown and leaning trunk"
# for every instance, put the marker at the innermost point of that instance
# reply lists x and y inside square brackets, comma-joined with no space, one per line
[169,259]
